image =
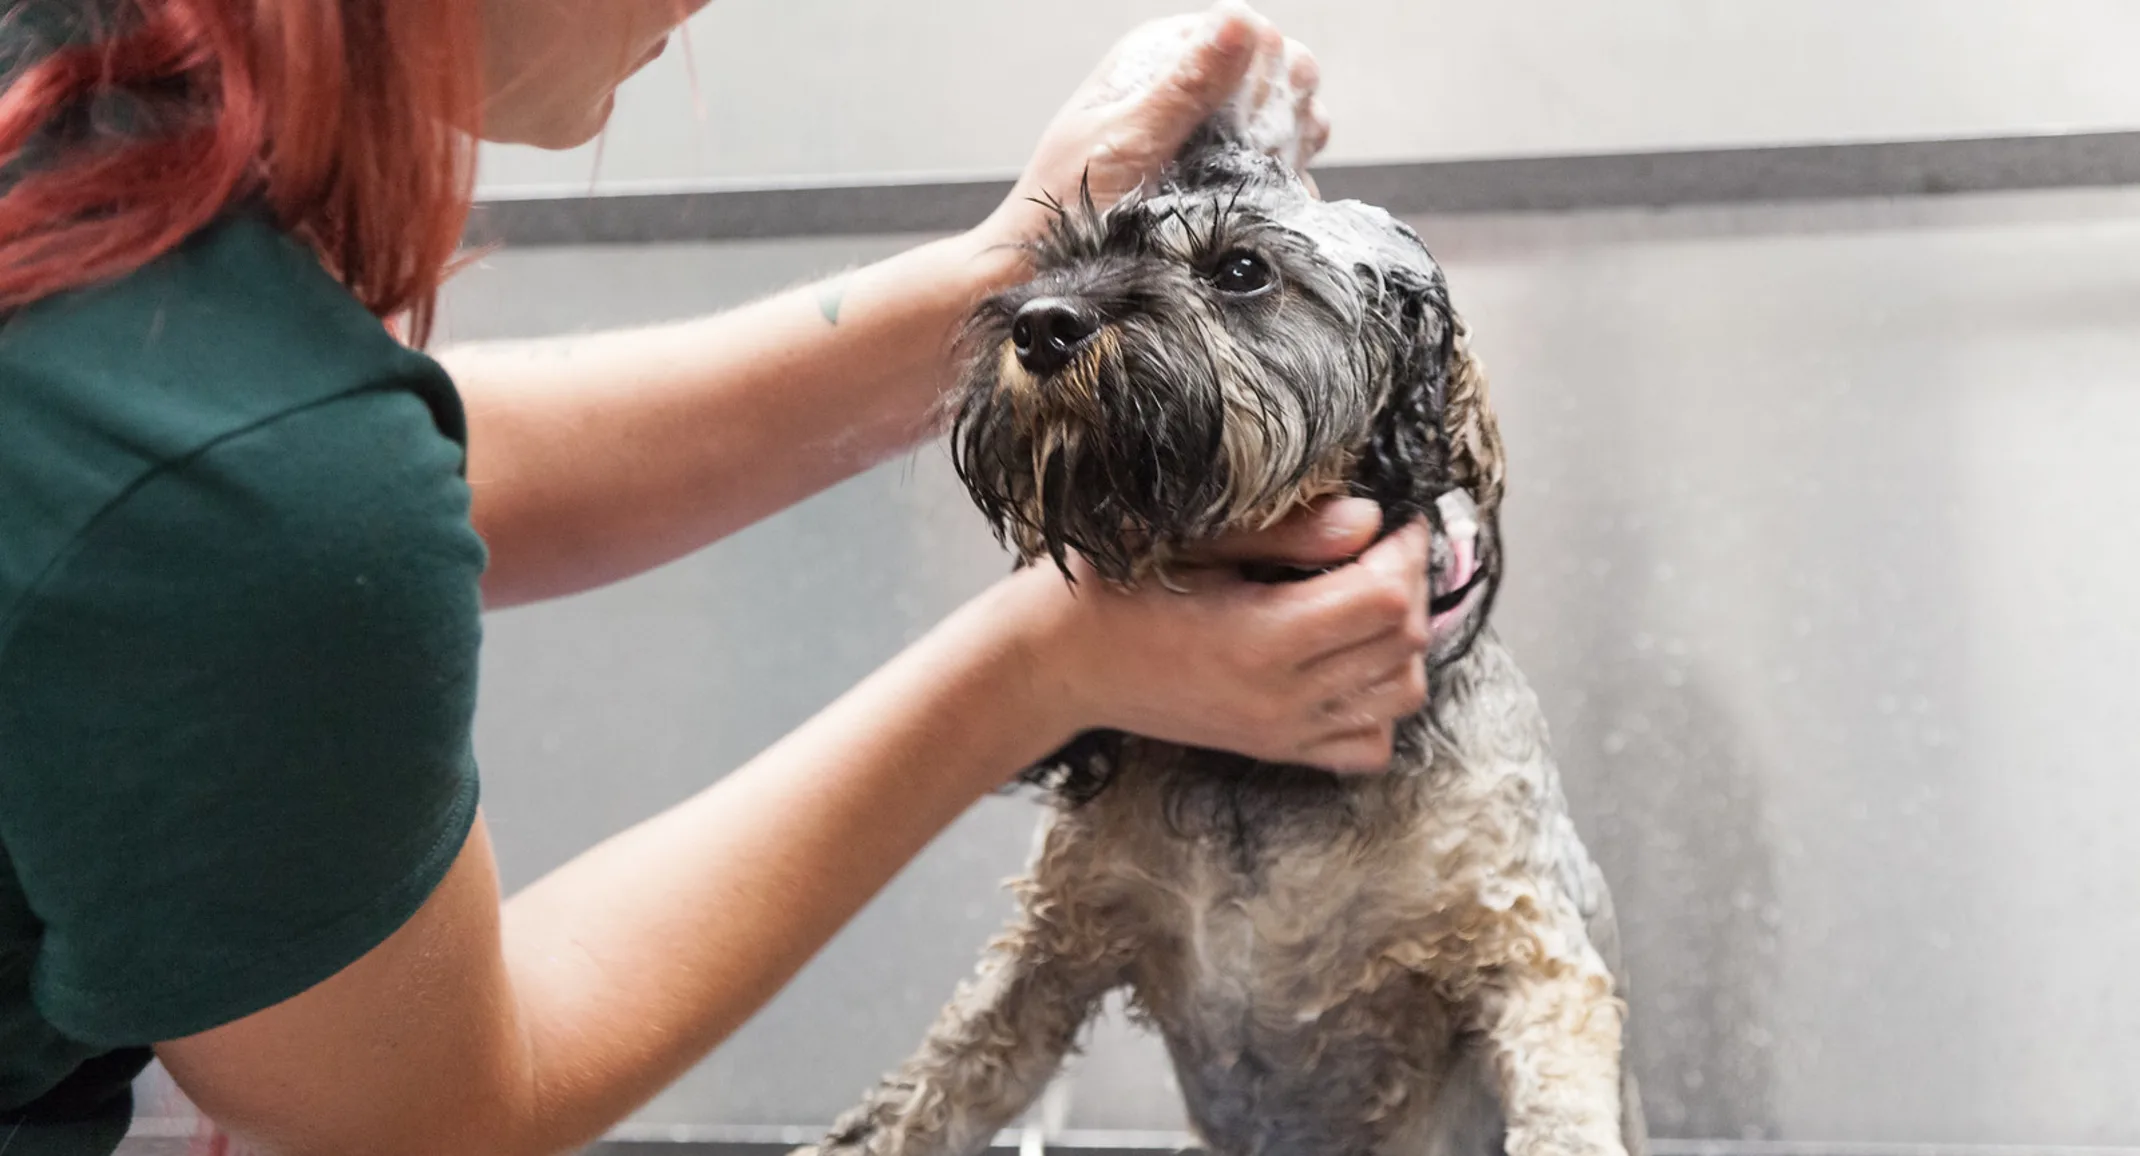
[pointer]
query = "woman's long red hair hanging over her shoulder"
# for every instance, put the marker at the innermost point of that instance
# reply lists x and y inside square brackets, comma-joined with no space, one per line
[350,121]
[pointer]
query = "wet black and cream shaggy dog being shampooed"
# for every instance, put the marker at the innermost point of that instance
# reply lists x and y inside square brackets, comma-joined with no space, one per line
[1411,964]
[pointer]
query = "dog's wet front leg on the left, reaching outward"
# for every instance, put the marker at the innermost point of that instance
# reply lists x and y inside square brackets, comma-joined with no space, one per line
[990,1054]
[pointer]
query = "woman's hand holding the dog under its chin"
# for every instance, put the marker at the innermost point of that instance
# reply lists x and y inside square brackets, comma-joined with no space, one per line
[1315,673]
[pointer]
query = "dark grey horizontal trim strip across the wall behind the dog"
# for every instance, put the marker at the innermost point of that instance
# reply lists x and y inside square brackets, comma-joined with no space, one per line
[1428,187]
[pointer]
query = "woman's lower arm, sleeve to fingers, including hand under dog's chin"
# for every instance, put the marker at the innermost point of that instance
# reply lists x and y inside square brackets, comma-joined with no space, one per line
[470,1035]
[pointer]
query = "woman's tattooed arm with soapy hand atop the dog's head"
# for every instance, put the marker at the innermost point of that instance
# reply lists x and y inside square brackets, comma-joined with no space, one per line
[598,457]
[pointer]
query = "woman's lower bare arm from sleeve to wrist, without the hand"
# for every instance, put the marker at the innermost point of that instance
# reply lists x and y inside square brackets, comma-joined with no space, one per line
[480,1035]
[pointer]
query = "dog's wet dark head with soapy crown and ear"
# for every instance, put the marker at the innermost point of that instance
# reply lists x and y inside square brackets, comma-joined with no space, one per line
[1217,356]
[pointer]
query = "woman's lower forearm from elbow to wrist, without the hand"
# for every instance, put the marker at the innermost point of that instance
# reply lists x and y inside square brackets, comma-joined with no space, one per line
[643,954]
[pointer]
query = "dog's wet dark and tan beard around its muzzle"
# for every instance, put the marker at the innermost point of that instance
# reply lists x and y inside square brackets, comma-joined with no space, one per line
[1159,436]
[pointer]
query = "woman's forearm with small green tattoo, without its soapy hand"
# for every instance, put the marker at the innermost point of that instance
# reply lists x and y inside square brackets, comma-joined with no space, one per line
[598,457]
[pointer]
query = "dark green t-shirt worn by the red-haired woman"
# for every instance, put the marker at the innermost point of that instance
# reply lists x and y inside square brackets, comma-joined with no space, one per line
[239,645]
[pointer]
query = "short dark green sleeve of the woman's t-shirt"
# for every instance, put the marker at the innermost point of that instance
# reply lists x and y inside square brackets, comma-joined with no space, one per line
[236,720]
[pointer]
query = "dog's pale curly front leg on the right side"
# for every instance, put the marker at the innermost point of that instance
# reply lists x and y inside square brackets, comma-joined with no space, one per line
[1553,1029]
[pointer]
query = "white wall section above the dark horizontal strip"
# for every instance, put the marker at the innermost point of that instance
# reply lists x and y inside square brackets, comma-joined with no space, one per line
[842,89]
